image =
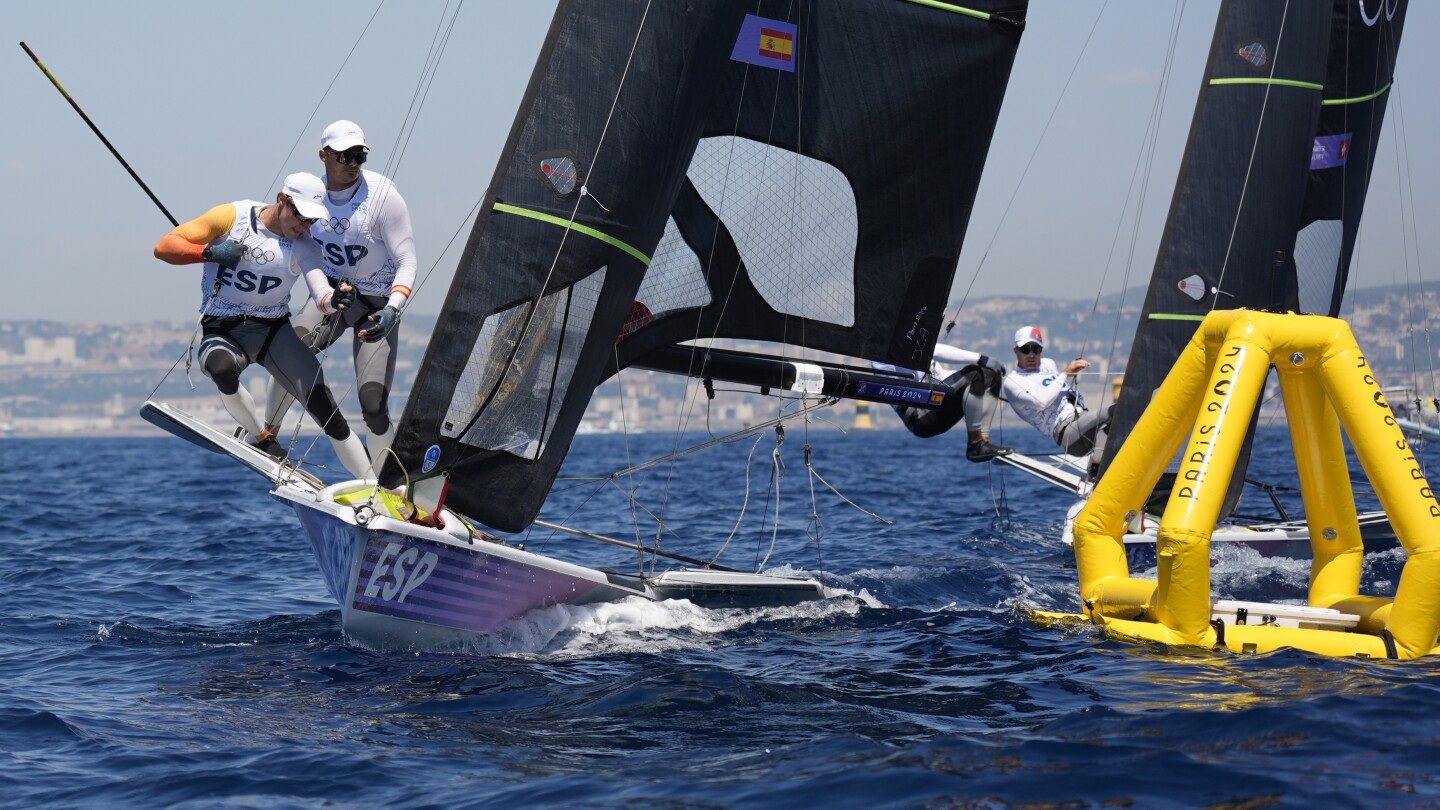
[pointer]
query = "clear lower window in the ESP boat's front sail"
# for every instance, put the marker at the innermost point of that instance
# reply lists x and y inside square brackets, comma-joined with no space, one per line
[523,403]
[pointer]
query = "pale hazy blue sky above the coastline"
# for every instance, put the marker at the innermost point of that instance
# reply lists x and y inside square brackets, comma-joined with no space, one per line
[214,102]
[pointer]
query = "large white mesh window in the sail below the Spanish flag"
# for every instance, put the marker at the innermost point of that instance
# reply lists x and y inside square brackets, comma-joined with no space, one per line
[794,221]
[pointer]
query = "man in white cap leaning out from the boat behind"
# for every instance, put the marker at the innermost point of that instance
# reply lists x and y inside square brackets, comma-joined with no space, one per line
[1049,400]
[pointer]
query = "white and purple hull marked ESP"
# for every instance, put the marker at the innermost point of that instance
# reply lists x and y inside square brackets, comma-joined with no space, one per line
[404,586]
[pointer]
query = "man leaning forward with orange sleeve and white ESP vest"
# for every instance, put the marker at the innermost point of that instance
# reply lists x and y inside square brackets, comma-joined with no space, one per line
[253,256]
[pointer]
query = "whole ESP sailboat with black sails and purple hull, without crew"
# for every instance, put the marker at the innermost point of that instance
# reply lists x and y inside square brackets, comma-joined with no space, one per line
[679,175]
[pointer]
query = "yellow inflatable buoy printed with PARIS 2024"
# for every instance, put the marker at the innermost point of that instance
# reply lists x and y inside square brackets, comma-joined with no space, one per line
[1213,393]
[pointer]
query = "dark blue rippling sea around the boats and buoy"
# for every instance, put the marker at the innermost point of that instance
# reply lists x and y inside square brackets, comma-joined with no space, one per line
[168,642]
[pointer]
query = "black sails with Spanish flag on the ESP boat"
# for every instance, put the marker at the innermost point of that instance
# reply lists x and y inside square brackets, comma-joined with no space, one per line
[798,174]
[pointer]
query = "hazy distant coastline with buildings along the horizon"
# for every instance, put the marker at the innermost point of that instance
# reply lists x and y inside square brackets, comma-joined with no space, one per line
[89,380]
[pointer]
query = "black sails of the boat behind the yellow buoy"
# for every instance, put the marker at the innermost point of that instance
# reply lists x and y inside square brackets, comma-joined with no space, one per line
[1274,182]
